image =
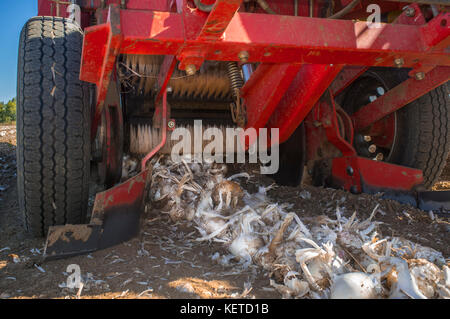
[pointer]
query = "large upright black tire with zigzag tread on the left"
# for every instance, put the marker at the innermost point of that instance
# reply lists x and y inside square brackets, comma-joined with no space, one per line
[53,123]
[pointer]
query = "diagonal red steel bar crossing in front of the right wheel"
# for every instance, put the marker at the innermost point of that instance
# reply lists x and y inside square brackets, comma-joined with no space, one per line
[399,96]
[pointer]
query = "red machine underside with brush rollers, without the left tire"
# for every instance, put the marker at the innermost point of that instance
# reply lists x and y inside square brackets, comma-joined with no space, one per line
[291,65]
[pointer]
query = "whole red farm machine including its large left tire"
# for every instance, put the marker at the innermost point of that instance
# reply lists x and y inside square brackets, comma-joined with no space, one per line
[356,88]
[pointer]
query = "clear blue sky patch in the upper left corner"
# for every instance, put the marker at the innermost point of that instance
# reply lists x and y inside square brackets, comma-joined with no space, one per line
[13,15]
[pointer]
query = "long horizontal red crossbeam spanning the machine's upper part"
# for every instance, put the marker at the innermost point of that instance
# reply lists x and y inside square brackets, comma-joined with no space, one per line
[273,39]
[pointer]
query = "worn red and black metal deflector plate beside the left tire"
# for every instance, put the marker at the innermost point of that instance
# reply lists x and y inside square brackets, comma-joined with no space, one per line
[115,219]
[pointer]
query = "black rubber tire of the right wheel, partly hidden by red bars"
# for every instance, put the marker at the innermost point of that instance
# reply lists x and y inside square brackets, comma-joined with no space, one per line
[423,140]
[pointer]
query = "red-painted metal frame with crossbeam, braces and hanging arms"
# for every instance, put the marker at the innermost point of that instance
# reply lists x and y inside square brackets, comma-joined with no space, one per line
[300,58]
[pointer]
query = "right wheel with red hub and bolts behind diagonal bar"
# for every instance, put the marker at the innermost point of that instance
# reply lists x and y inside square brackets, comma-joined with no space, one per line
[417,135]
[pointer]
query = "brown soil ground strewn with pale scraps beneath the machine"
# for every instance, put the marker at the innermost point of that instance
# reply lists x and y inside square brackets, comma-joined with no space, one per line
[165,261]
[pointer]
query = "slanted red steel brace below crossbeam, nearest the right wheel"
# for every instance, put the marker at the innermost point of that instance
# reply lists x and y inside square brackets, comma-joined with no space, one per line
[305,90]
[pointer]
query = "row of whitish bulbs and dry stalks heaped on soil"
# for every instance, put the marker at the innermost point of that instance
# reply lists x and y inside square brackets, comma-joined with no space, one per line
[321,257]
